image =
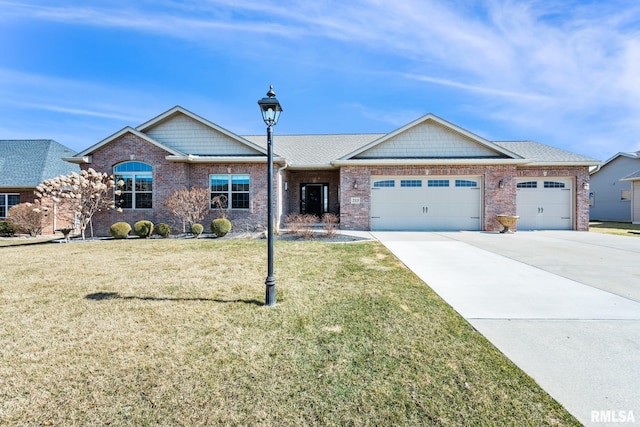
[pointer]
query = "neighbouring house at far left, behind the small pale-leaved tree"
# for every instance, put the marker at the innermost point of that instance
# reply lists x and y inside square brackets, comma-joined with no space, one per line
[24,164]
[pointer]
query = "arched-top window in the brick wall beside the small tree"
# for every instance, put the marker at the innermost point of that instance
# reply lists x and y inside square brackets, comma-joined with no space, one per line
[136,193]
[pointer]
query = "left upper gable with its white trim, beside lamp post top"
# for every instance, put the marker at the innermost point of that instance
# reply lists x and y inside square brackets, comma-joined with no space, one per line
[192,134]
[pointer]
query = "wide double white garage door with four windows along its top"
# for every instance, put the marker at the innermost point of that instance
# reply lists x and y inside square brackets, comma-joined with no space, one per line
[426,203]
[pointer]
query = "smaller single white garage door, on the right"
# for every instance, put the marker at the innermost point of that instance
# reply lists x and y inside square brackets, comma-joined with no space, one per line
[545,204]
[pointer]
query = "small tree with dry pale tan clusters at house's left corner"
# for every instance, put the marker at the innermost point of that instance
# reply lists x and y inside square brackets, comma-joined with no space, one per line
[83,194]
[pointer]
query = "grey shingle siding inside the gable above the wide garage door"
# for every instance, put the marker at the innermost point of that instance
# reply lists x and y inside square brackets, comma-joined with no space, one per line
[428,140]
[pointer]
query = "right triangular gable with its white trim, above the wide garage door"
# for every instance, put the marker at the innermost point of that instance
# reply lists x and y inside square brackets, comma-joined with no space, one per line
[431,138]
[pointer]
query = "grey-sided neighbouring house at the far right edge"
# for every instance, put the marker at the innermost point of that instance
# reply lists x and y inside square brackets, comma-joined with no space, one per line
[610,198]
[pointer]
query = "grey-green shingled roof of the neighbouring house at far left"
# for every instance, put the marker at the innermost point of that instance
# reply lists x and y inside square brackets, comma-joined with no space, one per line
[26,163]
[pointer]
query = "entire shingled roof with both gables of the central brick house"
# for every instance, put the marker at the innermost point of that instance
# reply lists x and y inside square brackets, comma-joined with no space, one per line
[188,137]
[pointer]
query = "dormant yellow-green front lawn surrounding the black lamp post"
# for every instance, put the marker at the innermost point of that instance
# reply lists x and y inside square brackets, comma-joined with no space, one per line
[173,332]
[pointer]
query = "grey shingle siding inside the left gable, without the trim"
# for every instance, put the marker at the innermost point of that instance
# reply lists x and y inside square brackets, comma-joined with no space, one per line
[191,137]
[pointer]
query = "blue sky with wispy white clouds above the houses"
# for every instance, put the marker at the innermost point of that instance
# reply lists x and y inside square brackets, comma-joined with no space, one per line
[563,73]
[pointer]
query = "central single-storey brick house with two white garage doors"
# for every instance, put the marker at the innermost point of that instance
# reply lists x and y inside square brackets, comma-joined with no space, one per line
[427,175]
